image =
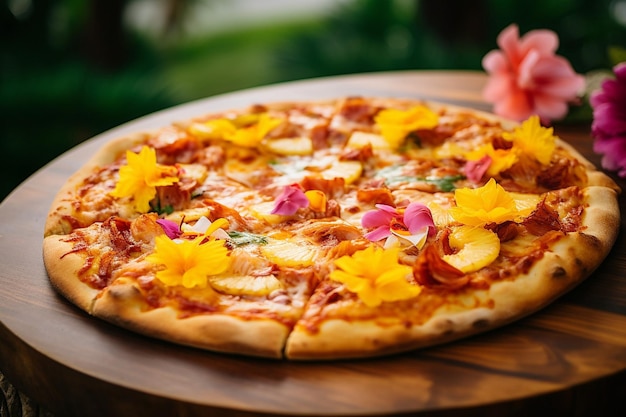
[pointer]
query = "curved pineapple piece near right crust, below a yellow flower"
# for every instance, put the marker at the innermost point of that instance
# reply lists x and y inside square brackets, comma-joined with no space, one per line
[477,247]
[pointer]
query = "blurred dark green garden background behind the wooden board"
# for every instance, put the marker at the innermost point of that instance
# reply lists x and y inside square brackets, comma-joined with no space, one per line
[70,69]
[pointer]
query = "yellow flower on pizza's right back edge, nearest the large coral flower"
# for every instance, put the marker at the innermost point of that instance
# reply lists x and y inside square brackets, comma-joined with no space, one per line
[532,139]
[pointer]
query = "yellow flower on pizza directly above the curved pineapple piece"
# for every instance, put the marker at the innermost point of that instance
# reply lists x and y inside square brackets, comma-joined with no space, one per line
[488,204]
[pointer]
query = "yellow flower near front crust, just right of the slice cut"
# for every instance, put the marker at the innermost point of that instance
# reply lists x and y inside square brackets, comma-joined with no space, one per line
[375,275]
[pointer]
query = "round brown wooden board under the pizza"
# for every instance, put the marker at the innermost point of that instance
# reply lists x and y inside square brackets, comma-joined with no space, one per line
[569,359]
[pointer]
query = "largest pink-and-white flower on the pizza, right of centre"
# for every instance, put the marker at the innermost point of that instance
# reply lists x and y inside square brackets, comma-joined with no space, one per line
[413,224]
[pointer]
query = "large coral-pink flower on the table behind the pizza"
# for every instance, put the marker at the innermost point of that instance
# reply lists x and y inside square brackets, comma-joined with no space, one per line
[526,77]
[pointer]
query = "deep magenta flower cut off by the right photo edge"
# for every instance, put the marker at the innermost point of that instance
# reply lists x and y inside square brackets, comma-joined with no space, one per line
[609,121]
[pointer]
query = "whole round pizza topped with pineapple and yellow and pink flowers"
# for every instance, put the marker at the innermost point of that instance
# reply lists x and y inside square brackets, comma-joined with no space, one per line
[341,228]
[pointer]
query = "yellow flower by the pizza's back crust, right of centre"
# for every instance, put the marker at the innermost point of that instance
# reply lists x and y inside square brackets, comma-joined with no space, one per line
[395,124]
